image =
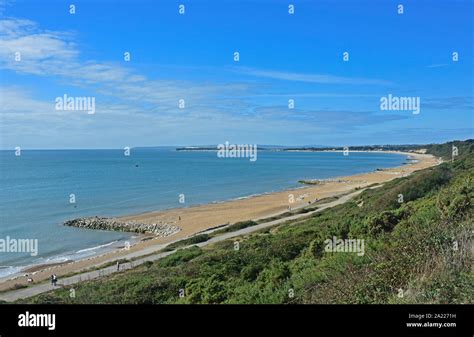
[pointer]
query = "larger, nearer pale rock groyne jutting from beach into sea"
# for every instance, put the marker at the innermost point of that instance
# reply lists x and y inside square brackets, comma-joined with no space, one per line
[112,224]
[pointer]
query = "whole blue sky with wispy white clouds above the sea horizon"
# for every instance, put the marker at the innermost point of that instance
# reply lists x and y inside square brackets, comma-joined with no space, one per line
[190,57]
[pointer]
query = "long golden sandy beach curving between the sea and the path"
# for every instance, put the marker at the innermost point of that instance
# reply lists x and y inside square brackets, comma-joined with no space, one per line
[199,218]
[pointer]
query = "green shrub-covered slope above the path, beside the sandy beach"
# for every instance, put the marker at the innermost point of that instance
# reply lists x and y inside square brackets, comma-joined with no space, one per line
[421,247]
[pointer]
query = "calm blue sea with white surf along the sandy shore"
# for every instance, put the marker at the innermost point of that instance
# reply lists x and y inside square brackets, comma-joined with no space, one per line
[35,189]
